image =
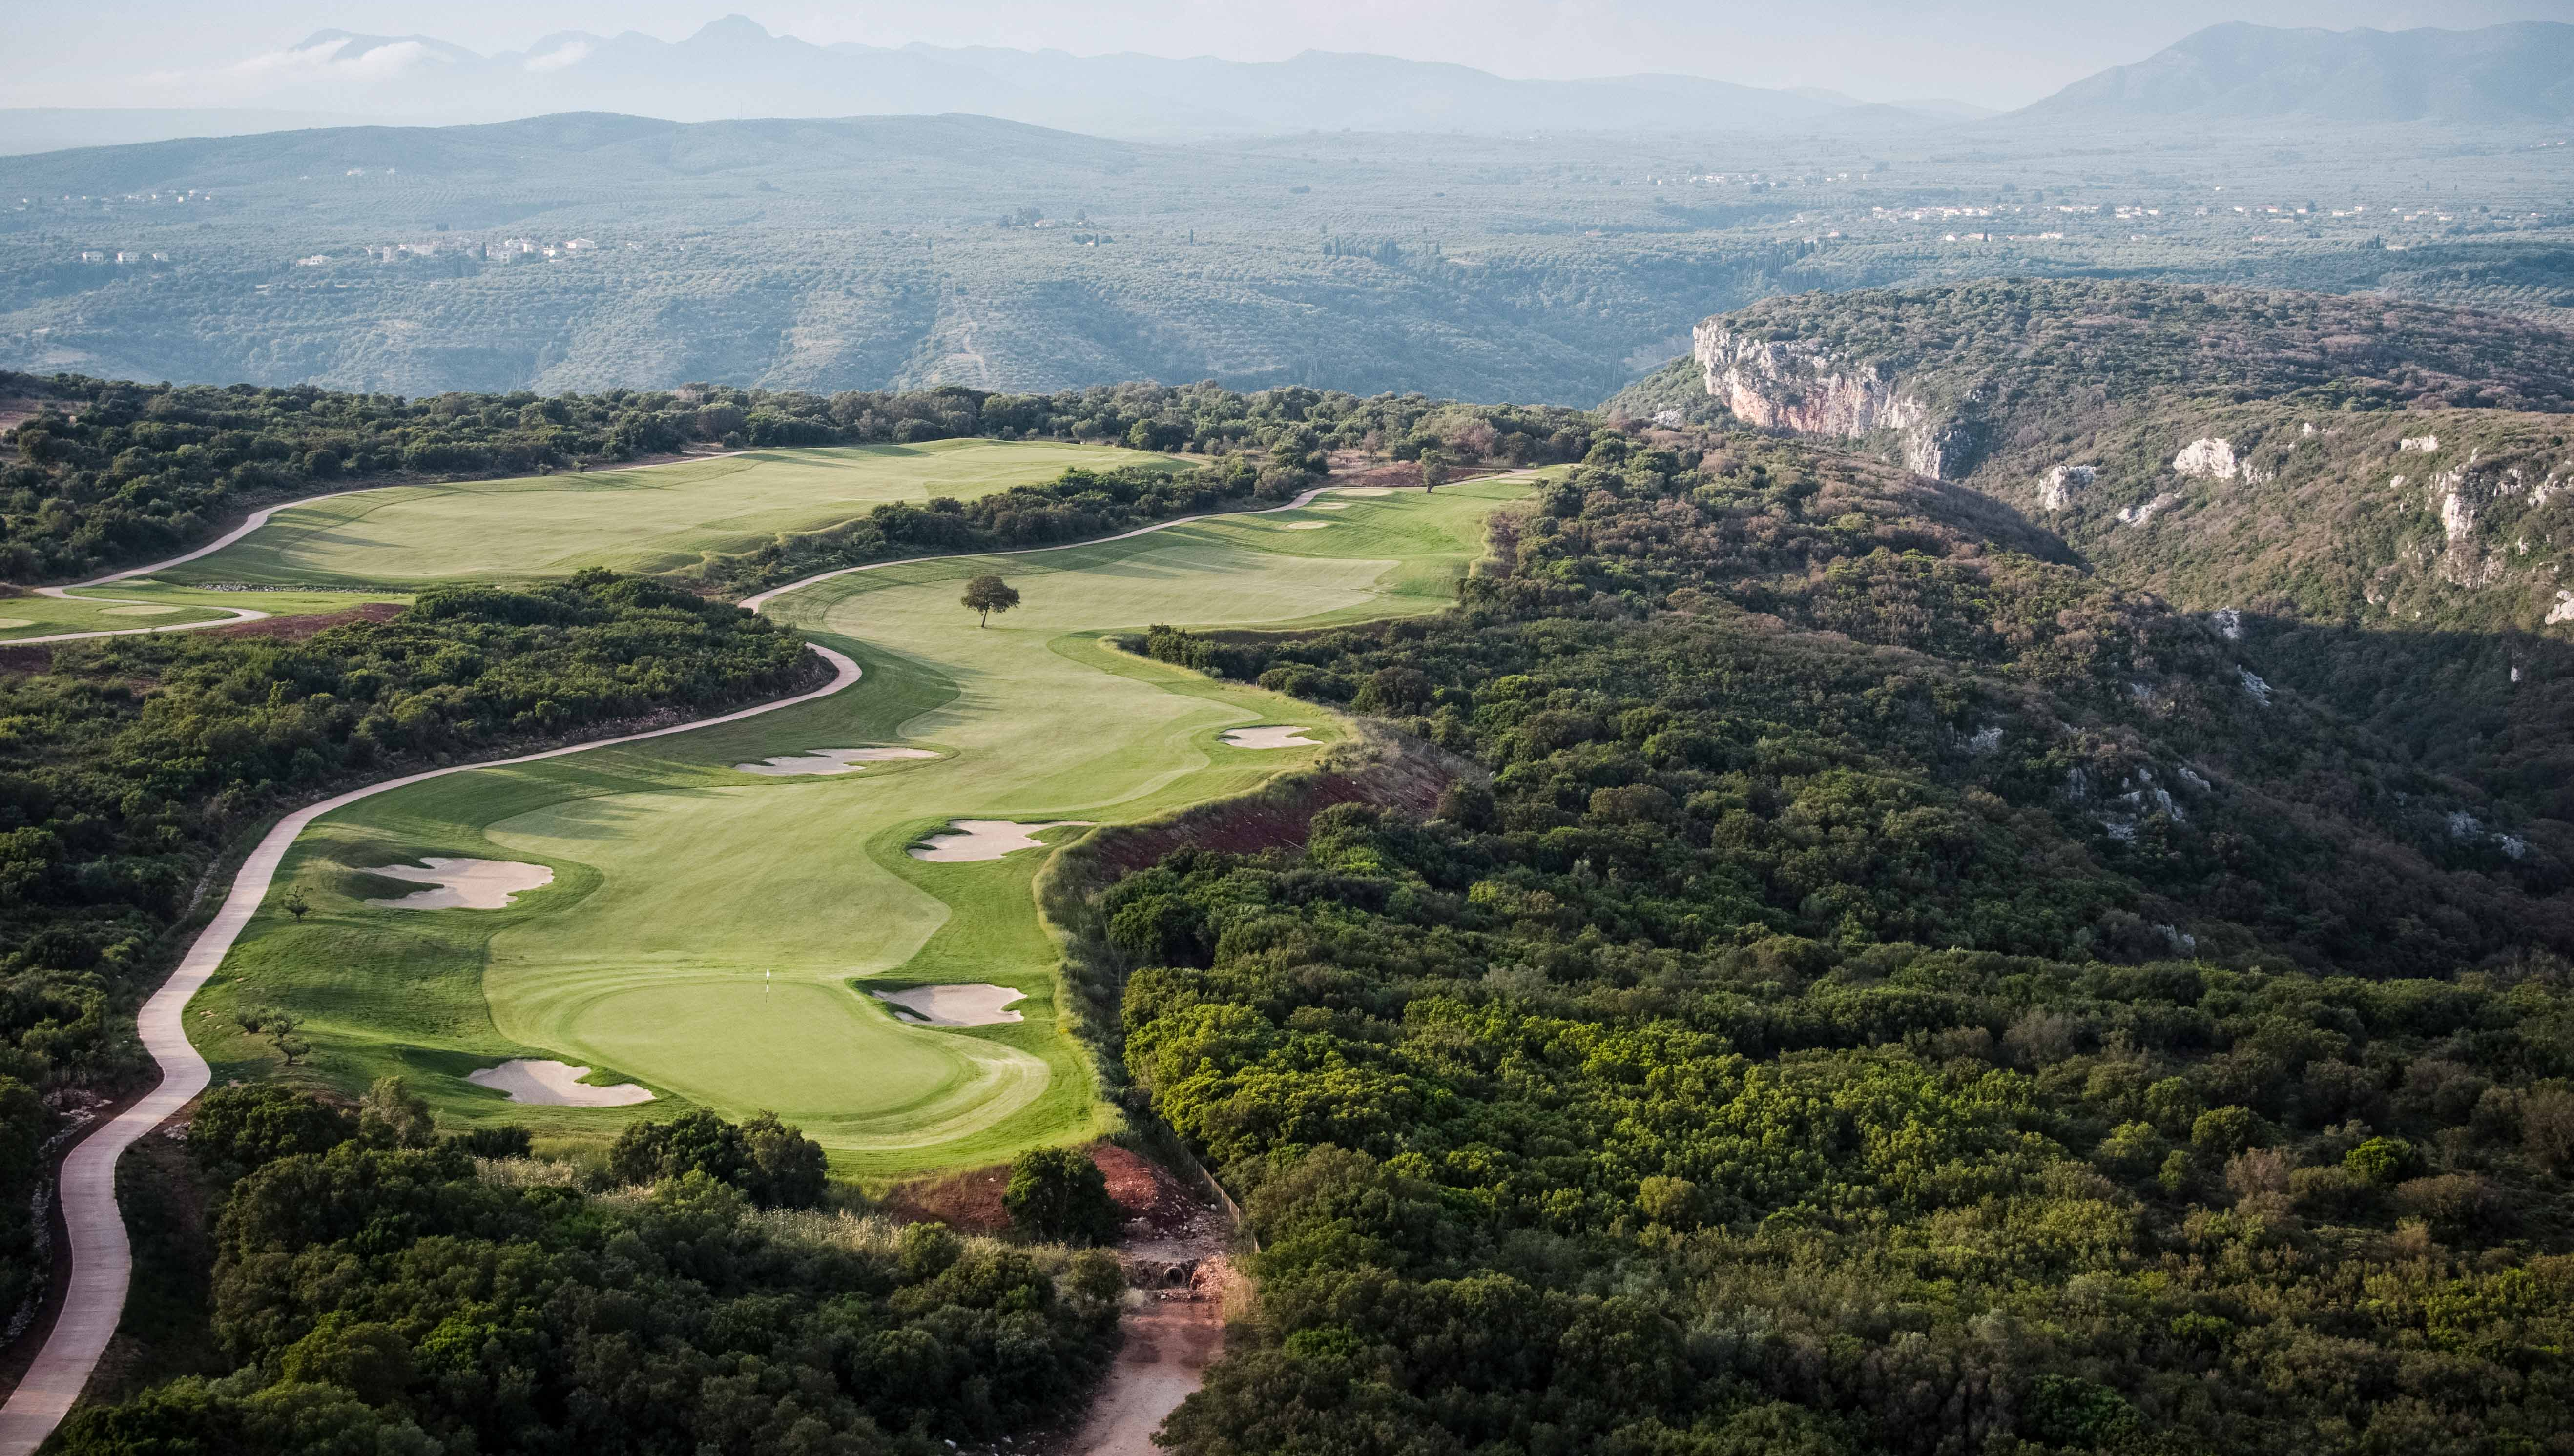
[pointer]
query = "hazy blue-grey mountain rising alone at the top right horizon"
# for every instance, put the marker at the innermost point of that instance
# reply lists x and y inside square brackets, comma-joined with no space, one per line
[2256,73]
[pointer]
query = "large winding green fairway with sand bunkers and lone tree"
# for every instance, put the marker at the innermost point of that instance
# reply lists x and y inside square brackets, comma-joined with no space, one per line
[717,935]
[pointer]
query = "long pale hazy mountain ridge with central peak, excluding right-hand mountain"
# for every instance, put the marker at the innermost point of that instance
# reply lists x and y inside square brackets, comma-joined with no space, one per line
[735,68]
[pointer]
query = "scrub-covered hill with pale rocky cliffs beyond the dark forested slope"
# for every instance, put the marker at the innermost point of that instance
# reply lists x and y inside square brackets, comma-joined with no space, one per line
[2369,498]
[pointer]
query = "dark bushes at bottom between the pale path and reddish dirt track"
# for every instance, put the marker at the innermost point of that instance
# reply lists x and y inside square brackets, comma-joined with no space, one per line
[380,1290]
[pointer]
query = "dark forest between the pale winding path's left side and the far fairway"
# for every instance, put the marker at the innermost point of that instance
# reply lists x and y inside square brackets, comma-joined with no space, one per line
[130,765]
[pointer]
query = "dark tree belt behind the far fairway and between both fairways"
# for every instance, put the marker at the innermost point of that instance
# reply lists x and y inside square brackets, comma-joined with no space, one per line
[104,475]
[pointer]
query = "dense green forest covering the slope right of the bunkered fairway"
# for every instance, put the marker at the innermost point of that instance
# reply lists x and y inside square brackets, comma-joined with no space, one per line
[1893,994]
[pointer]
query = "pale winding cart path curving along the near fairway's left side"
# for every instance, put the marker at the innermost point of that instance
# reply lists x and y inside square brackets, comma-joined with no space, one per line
[102,1259]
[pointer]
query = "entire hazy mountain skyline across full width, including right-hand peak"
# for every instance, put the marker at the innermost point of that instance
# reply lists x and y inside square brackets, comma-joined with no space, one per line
[2225,76]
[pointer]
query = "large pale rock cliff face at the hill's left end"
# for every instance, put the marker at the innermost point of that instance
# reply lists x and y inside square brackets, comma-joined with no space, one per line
[1793,385]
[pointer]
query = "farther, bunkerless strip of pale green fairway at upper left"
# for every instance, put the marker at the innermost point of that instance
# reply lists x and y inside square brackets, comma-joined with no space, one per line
[658,518]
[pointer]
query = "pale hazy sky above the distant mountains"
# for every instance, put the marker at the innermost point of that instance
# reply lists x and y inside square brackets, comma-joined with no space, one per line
[2004,53]
